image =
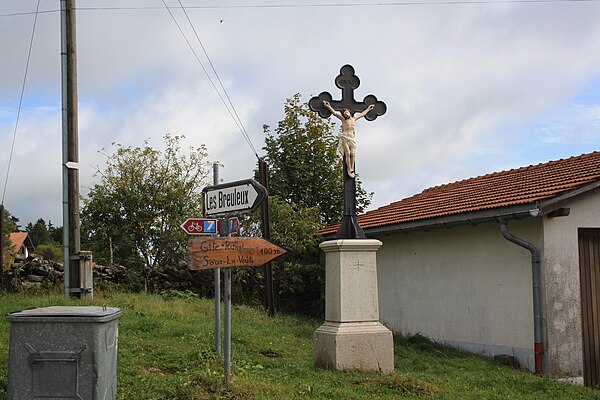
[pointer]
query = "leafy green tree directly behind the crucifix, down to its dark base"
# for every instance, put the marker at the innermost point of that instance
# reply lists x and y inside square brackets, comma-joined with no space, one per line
[305,195]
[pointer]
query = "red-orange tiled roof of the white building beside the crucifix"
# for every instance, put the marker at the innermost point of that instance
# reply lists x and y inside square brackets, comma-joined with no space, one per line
[500,189]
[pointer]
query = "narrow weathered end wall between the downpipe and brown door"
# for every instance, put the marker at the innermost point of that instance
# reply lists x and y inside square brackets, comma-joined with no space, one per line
[561,280]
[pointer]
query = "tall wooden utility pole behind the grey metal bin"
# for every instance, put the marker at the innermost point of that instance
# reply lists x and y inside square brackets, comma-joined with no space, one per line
[70,145]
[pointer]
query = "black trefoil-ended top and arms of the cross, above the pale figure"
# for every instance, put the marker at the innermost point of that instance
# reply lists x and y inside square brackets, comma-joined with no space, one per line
[347,81]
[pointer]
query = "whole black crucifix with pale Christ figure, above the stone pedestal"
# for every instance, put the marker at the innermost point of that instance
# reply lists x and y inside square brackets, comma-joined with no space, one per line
[370,108]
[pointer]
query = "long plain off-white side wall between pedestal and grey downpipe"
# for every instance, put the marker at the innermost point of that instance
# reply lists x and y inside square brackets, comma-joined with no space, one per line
[466,286]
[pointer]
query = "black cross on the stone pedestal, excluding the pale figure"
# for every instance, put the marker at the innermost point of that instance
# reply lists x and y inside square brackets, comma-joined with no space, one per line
[347,81]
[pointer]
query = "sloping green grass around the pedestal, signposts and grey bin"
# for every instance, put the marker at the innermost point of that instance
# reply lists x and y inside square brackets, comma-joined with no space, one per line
[166,351]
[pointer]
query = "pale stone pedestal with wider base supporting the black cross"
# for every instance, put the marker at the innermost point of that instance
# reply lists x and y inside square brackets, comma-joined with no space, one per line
[352,338]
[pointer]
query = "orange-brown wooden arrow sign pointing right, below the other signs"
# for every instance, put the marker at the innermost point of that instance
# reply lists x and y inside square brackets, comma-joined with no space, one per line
[208,253]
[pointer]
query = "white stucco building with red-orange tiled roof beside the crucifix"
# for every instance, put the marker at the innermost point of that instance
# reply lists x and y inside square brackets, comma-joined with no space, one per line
[505,263]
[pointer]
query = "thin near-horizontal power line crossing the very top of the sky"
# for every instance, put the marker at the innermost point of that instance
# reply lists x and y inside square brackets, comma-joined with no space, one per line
[322,5]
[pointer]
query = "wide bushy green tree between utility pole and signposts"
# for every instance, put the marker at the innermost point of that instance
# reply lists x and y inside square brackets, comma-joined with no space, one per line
[143,195]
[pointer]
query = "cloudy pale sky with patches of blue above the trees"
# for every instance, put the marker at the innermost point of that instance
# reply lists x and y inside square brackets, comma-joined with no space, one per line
[471,87]
